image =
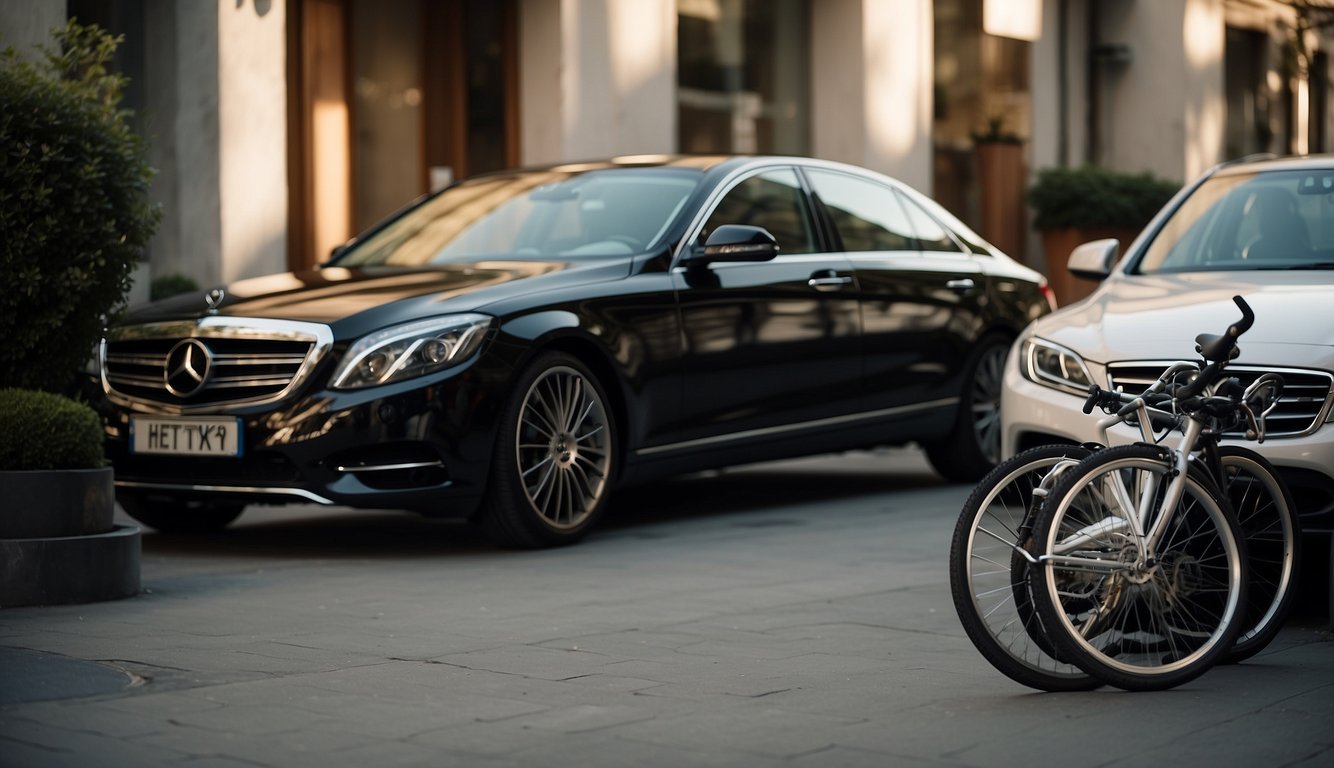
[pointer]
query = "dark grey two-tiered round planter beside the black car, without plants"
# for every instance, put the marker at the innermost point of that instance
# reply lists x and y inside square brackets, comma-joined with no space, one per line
[59,542]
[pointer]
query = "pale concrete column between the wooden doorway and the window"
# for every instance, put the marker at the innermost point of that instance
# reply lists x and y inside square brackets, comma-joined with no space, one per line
[597,79]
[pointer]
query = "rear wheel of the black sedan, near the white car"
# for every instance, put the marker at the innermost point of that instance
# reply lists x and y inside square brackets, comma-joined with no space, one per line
[973,446]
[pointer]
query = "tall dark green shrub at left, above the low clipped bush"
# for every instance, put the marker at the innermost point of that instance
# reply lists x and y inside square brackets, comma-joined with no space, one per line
[75,215]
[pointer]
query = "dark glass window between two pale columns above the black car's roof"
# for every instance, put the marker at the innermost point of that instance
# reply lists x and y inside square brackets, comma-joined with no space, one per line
[744,77]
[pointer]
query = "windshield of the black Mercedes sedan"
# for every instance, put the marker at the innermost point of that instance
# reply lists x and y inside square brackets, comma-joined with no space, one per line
[533,215]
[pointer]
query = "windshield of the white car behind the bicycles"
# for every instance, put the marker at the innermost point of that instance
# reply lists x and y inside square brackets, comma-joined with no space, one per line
[1268,221]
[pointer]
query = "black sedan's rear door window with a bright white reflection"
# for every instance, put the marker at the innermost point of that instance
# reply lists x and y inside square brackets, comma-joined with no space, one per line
[866,215]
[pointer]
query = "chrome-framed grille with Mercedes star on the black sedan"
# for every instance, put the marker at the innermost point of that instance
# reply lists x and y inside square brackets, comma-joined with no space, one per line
[210,366]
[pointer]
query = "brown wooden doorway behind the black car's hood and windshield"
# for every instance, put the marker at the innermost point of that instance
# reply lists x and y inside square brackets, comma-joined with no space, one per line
[392,101]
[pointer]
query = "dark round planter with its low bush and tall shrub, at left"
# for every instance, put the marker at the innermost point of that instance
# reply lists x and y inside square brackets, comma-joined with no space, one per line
[75,221]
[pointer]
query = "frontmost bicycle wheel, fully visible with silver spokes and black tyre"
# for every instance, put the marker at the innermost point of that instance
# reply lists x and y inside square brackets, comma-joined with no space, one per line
[1140,627]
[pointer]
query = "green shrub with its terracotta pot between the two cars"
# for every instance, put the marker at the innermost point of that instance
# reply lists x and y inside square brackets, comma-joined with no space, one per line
[1075,206]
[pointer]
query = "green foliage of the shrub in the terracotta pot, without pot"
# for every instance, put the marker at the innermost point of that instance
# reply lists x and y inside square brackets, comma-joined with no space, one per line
[1093,198]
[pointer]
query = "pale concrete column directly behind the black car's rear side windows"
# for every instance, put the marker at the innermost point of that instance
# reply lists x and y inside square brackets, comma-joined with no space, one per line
[872,65]
